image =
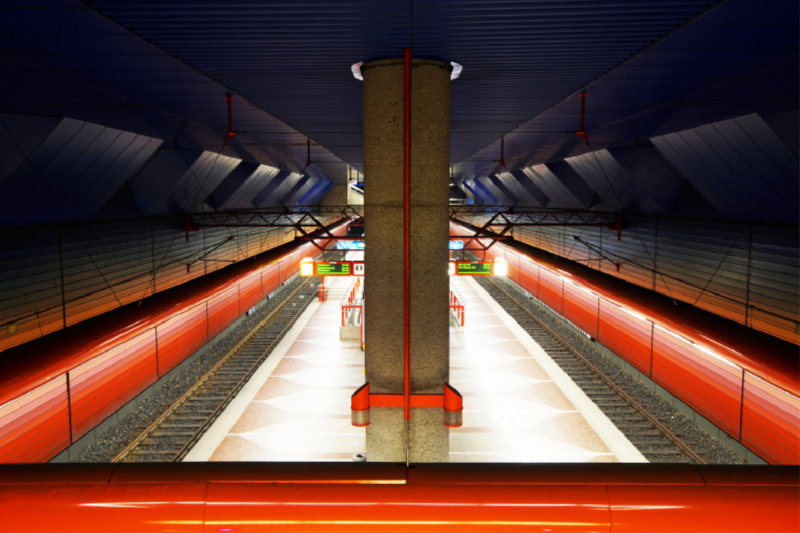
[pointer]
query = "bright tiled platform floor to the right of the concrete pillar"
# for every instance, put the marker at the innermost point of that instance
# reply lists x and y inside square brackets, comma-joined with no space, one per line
[515,409]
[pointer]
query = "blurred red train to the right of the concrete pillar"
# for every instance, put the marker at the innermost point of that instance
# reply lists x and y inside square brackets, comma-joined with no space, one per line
[744,381]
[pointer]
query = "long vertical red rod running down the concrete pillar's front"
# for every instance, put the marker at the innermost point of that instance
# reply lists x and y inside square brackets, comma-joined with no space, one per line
[406,231]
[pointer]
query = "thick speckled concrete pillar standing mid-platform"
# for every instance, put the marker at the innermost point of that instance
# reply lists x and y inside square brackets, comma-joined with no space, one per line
[387,436]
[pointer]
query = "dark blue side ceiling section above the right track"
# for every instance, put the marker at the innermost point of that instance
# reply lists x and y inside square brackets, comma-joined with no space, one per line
[740,57]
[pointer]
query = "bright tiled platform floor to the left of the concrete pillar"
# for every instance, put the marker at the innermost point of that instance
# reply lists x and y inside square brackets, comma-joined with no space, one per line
[297,406]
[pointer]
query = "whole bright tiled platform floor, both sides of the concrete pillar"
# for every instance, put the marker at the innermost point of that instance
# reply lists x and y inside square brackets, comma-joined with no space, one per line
[519,406]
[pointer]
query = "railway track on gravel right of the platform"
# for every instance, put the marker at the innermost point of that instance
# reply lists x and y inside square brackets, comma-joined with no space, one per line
[653,439]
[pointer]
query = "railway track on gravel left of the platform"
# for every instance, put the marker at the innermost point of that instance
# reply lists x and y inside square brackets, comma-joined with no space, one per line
[173,434]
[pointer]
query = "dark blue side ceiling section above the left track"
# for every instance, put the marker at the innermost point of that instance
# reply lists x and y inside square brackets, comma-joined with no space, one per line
[62,59]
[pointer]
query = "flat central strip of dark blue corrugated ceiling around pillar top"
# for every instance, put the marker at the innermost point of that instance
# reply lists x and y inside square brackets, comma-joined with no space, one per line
[293,57]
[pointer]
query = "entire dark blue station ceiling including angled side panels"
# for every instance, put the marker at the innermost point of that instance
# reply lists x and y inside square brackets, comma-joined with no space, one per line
[160,70]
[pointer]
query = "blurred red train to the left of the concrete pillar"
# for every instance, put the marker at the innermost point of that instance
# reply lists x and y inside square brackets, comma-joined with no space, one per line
[56,389]
